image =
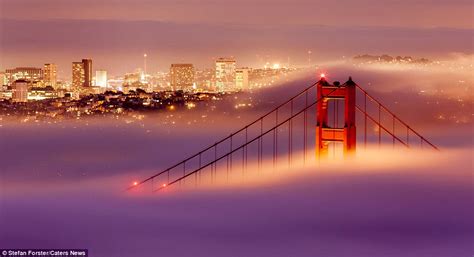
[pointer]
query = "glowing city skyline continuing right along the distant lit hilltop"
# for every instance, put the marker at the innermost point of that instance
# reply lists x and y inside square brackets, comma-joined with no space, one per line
[225,76]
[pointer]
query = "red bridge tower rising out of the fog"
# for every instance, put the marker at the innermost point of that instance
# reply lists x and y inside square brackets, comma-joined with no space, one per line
[326,134]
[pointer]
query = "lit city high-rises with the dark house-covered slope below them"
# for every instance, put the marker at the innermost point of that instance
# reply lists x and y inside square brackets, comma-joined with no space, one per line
[42,84]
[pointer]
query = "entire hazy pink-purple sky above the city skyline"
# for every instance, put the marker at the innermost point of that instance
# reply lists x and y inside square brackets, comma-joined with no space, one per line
[116,33]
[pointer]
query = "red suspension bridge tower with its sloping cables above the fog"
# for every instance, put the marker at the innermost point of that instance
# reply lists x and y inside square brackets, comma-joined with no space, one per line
[281,134]
